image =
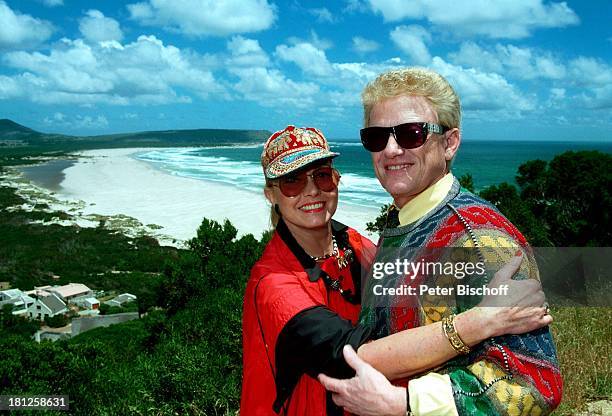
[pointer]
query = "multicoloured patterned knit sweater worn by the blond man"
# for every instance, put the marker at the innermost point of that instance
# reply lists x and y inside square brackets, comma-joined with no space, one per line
[508,375]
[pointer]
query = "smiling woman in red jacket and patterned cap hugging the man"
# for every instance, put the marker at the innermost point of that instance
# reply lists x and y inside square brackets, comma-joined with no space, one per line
[302,300]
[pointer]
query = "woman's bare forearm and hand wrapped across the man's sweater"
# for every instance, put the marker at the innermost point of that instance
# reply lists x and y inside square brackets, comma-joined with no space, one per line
[418,349]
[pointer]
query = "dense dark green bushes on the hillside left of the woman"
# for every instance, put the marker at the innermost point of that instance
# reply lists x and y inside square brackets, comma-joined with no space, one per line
[182,359]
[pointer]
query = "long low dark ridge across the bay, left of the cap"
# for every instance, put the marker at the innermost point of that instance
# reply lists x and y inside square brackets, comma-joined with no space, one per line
[15,135]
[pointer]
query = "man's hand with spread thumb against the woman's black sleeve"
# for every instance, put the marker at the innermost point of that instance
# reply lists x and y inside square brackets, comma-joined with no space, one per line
[369,393]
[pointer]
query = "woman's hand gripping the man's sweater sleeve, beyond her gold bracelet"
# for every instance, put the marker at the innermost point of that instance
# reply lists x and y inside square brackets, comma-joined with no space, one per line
[522,309]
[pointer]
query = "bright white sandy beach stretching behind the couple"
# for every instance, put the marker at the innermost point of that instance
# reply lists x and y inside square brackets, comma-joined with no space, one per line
[110,182]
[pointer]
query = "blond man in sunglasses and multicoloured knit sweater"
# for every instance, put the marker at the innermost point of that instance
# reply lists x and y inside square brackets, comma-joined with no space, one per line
[412,128]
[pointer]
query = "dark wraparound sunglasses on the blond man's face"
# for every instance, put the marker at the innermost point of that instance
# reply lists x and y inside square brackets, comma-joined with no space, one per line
[407,135]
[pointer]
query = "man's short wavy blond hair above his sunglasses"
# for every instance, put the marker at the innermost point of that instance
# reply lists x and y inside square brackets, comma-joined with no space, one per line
[419,82]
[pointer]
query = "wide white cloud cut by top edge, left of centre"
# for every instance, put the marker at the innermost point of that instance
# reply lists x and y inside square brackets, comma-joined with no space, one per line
[205,17]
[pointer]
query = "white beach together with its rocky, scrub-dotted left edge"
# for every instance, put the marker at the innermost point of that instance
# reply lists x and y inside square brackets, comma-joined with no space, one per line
[106,183]
